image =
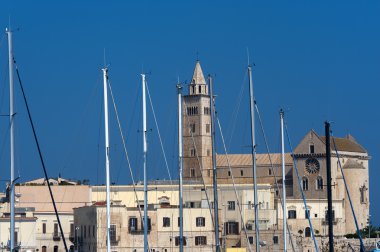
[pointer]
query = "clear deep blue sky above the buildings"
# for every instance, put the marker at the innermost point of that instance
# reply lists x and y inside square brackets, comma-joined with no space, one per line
[318,60]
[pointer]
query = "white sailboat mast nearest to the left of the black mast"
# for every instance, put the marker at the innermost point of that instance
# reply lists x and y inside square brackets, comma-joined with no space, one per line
[283,179]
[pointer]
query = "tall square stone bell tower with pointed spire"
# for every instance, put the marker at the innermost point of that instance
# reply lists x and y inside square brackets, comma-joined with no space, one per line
[197,129]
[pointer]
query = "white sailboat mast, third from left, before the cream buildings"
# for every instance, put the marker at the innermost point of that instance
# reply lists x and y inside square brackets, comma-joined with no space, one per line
[145,149]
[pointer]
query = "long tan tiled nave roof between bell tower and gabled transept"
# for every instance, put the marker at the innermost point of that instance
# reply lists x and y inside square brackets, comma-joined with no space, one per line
[246,159]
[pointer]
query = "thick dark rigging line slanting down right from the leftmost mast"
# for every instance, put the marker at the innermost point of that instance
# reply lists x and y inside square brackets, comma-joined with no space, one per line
[40,154]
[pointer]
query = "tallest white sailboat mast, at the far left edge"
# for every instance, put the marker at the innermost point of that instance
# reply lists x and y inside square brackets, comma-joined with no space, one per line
[12,158]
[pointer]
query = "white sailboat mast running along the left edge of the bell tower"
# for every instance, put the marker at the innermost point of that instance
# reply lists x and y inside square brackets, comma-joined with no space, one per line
[180,164]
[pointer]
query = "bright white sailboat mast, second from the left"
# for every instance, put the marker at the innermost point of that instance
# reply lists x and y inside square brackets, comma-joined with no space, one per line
[107,145]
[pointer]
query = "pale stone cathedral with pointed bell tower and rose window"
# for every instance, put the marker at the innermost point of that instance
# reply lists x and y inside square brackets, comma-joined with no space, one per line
[309,157]
